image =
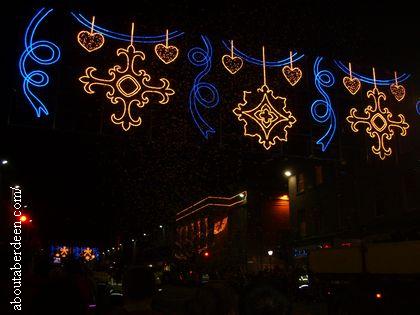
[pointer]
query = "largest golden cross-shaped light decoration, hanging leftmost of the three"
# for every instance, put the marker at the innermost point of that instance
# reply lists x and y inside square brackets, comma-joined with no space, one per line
[128,86]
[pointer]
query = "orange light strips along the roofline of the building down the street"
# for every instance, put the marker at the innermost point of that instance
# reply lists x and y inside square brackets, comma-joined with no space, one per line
[212,201]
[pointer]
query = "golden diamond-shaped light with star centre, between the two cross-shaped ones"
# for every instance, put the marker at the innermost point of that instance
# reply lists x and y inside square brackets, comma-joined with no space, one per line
[269,119]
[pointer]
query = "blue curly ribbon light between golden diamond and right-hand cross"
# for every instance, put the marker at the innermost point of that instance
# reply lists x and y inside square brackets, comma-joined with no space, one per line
[321,109]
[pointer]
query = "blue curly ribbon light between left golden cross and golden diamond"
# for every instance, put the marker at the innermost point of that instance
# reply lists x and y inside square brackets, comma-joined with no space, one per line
[200,57]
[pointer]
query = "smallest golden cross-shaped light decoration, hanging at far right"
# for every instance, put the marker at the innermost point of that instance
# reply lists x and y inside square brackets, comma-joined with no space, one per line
[379,122]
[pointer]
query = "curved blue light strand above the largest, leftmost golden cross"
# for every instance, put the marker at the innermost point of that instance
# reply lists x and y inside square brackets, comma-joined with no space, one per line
[150,39]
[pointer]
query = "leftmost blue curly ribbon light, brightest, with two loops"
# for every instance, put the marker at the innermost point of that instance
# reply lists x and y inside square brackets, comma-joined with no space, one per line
[37,78]
